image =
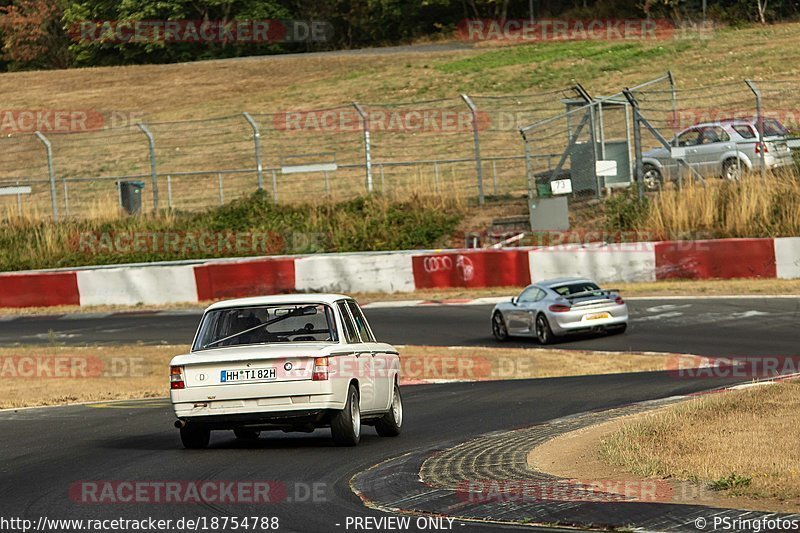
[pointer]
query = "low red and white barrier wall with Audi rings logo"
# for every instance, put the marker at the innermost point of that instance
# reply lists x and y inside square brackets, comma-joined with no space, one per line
[402,271]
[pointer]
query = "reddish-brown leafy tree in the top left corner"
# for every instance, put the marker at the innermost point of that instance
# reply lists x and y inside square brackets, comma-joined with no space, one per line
[32,36]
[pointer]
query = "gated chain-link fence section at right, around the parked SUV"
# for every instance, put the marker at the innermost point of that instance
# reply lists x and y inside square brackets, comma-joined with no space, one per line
[658,135]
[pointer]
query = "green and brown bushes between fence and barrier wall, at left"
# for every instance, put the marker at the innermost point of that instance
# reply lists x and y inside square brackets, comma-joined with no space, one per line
[362,224]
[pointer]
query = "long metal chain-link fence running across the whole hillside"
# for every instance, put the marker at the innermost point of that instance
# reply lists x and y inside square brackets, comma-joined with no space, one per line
[463,147]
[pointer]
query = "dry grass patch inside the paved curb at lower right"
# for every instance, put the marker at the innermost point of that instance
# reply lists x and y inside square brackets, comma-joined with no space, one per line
[744,442]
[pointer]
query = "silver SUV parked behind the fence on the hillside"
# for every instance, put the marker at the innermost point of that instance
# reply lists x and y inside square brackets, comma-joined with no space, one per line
[724,148]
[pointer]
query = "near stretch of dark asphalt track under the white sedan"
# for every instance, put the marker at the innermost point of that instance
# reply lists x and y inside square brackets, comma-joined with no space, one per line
[46,451]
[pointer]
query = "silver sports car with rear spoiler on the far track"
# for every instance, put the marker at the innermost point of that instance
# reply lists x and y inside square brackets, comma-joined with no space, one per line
[556,307]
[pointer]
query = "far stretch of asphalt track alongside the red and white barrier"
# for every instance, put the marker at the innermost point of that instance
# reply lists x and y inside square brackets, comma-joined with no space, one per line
[708,326]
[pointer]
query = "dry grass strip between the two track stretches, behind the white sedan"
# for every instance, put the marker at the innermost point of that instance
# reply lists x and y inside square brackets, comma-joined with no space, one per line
[133,372]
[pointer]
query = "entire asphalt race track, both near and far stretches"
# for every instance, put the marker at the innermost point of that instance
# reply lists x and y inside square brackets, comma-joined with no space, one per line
[44,452]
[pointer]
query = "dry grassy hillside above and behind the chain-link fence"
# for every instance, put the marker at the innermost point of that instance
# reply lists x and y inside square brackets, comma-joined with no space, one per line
[228,87]
